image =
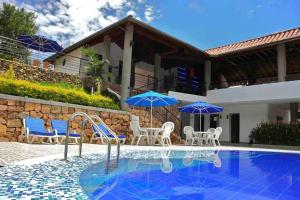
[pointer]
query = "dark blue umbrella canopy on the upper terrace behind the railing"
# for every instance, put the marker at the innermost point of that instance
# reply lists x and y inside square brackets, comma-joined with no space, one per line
[39,43]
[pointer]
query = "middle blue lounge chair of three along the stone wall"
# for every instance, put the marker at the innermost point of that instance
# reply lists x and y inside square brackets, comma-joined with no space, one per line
[60,129]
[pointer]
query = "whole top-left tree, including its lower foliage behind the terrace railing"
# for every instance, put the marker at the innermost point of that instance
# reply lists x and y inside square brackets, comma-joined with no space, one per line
[13,23]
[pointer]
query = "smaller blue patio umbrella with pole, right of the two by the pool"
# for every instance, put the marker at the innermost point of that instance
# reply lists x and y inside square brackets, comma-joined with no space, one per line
[200,107]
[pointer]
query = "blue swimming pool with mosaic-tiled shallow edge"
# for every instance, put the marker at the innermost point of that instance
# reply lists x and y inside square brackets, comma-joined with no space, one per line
[161,174]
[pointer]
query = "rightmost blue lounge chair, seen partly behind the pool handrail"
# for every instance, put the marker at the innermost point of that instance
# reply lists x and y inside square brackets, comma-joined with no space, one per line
[105,130]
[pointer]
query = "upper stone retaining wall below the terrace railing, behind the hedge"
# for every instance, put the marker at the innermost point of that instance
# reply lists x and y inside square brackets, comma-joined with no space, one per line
[36,74]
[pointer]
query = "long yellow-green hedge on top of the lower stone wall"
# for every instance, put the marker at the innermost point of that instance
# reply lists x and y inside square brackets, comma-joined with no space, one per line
[54,93]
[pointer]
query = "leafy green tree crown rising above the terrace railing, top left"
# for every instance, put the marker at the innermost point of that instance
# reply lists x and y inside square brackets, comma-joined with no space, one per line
[16,21]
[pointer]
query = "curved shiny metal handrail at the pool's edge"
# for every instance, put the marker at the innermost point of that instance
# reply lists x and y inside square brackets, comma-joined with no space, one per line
[90,120]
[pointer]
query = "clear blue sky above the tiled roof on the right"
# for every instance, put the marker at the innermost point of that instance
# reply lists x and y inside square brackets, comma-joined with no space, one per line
[207,23]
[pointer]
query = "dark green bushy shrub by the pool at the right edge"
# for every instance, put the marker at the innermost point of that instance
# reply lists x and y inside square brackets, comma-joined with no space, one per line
[276,134]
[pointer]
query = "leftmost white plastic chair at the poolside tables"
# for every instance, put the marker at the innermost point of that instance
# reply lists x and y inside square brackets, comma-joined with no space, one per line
[138,132]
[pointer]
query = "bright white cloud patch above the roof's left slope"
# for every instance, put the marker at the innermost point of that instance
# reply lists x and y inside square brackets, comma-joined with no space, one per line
[71,20]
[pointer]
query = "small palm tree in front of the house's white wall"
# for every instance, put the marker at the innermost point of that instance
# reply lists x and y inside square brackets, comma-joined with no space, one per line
[94,69]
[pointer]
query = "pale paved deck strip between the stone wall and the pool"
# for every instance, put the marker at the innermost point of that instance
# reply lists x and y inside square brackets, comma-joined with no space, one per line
[21,153]
